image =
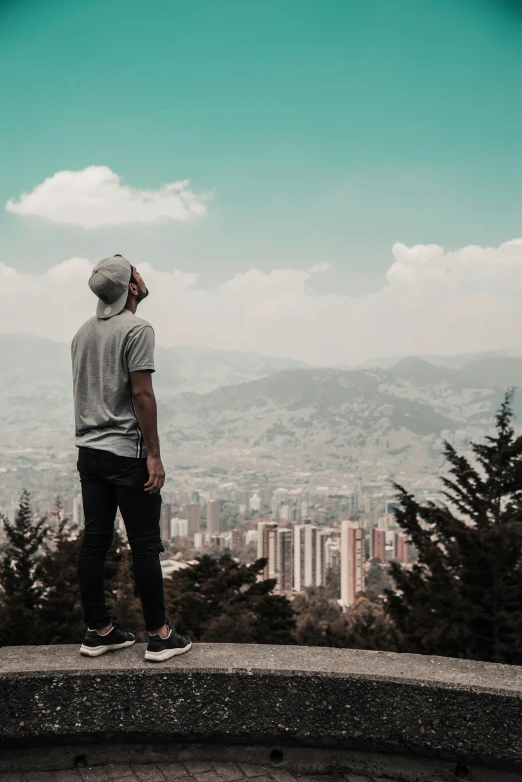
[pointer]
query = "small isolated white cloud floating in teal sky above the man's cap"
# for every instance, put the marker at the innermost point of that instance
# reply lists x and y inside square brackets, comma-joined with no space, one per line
[96,197]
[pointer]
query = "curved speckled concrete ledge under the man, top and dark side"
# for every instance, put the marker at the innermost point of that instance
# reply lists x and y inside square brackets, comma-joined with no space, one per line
[456,711]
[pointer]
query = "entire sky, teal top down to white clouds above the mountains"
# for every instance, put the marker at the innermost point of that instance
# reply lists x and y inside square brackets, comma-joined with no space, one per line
[328,181]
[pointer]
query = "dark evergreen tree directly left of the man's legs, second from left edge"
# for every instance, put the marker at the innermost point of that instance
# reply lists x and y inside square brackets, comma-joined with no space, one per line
[61,609]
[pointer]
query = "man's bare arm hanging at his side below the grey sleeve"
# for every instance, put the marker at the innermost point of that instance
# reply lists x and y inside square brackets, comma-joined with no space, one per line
[146,413]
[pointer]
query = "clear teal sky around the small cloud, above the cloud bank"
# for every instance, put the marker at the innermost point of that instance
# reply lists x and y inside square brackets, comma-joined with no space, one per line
[328,129]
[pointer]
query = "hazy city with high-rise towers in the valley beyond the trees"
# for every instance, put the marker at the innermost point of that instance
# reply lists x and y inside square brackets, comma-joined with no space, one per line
[304,534]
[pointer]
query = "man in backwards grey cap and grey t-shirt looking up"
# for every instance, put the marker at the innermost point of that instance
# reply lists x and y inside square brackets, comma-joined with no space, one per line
[119,457]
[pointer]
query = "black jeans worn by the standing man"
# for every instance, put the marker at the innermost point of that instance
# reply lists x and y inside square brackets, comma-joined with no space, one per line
[108,482]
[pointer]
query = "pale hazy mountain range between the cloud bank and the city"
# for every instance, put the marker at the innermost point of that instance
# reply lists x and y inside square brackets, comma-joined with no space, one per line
[232,409]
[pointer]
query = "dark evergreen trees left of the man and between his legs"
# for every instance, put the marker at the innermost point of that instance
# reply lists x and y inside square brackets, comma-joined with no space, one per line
[39,594]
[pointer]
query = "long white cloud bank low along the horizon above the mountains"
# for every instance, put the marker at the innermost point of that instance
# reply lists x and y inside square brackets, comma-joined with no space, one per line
[432,302]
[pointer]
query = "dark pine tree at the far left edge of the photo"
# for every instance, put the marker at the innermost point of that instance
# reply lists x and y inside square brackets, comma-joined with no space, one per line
[20,589]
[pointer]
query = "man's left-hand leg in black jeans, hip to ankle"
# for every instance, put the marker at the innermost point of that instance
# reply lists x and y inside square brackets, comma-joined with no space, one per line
[99,504]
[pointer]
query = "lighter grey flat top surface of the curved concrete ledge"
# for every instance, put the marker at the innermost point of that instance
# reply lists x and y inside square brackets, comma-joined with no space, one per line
[272,659]
